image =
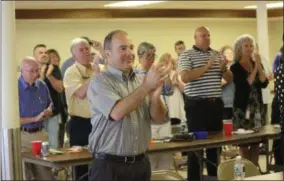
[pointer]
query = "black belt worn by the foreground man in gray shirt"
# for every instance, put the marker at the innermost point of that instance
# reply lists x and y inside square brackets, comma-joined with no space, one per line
[122,159]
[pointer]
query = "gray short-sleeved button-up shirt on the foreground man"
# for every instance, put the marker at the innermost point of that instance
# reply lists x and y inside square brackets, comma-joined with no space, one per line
[126,137]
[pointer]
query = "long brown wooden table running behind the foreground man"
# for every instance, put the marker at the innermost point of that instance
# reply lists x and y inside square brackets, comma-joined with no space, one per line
[214,140]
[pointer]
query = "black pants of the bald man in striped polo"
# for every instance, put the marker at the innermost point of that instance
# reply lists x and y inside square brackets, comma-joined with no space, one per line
[203,115]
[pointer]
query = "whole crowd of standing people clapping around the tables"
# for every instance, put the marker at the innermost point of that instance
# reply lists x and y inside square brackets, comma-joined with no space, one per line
[103,98]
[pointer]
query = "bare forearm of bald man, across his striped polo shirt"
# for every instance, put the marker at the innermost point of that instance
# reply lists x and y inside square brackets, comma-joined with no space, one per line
[190,75]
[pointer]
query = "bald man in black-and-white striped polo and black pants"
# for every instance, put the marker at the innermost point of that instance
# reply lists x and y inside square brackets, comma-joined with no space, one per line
[202,68]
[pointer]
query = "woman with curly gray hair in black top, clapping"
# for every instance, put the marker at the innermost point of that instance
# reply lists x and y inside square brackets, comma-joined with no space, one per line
[249,79]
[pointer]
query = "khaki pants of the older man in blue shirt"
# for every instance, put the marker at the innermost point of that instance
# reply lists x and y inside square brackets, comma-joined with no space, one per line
[33,171]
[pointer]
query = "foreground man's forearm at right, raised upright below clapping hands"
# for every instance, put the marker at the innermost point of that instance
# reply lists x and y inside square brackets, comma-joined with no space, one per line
[158,110]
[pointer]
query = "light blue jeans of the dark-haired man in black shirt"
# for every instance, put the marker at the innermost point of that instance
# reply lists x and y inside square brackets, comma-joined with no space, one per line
[51,126]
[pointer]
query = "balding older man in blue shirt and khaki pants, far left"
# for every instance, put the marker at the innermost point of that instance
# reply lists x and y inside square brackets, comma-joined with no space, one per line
[35,105]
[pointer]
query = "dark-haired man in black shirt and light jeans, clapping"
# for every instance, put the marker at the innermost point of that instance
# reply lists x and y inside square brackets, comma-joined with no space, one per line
[51,75]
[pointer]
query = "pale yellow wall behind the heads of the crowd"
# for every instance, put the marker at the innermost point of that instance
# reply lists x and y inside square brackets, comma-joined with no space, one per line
[161,32]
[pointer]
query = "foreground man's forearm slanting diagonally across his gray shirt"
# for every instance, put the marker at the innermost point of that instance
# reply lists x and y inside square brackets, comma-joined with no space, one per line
[128,104]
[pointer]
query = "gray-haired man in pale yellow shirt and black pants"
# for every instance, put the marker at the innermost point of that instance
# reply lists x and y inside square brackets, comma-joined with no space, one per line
[76,82]
